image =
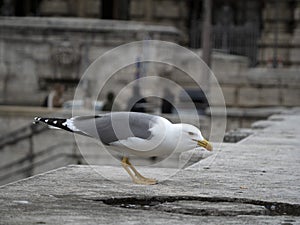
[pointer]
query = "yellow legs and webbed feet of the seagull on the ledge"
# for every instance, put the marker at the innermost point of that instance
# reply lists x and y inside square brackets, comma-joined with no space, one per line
[135,175]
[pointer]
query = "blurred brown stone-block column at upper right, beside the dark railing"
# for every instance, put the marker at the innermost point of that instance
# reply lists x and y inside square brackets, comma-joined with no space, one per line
[267,42]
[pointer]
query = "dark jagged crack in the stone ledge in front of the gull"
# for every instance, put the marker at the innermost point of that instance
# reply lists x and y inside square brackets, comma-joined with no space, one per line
[195,205]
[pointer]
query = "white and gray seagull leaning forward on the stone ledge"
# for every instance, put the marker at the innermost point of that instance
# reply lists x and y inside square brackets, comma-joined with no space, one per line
[133,133]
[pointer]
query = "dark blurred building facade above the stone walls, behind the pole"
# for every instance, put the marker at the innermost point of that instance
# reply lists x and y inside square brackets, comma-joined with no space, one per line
[268,31]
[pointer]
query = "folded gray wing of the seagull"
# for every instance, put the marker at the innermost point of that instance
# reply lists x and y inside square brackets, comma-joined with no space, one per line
[116,126]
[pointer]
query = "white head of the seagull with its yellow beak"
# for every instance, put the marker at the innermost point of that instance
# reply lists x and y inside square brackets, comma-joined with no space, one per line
[192,137]
